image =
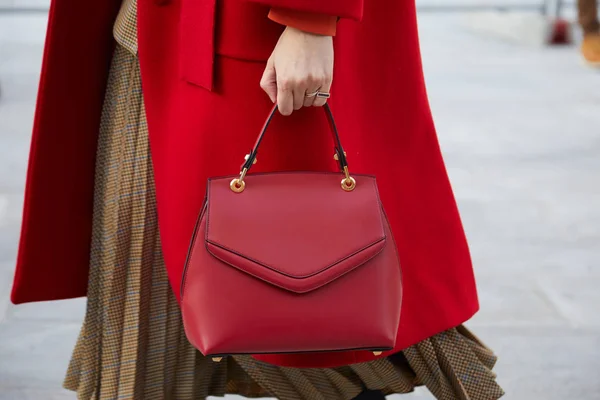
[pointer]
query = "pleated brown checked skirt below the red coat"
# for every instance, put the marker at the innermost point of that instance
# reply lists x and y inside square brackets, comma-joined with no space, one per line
[132,344]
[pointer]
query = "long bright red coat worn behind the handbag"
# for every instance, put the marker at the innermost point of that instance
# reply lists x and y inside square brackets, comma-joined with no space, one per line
[201,68]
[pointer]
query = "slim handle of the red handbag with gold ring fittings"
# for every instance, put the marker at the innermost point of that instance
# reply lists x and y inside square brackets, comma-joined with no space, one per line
[348,183]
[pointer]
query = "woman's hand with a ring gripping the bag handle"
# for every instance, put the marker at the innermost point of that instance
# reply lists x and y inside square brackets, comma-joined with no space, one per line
[302,63]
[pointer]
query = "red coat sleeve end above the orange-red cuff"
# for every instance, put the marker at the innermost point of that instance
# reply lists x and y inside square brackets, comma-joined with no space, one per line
[352,9]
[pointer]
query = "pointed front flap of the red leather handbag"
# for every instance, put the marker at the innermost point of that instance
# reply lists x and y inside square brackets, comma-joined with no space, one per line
[298,231]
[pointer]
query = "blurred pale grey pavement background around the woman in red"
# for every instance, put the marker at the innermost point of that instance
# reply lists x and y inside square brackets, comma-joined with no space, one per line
[518,116]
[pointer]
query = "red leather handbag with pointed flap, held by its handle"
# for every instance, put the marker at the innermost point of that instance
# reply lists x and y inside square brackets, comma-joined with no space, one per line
[292,262]
